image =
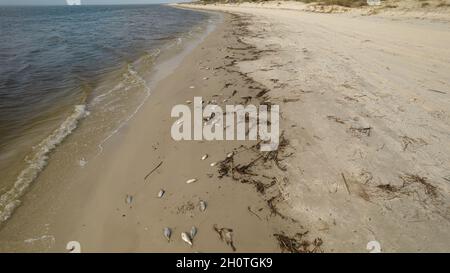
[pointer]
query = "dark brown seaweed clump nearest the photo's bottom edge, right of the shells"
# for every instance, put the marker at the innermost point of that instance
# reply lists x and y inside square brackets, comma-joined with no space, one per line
[297,244]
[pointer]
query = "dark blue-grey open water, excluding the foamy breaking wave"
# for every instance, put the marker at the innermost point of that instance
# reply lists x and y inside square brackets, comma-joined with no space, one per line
[49,53]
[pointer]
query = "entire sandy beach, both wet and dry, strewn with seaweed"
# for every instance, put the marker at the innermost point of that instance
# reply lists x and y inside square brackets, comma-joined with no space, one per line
[363,157]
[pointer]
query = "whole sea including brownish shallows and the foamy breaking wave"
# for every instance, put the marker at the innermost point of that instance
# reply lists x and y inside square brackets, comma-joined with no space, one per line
[56,61]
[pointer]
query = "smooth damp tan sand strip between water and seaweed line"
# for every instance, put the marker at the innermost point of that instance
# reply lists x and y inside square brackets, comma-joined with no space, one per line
[102,186]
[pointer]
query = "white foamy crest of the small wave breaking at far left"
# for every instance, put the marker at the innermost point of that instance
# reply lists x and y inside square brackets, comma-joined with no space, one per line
[9,201]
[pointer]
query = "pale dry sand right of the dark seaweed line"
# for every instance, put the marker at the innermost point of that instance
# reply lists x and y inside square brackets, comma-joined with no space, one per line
[373,97]
